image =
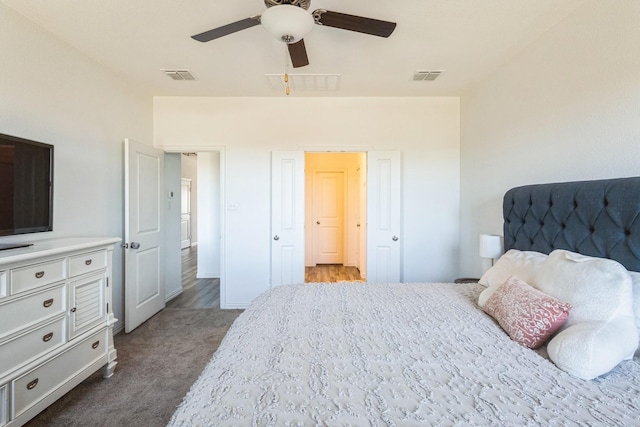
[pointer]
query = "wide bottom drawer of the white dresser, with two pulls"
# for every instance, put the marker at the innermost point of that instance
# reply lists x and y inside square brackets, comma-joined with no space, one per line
[36,384]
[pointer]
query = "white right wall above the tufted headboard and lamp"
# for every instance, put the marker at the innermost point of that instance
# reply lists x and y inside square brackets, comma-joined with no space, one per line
[567,108]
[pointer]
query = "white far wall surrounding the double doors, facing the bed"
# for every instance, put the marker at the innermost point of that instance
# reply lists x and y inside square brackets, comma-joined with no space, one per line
[425,130]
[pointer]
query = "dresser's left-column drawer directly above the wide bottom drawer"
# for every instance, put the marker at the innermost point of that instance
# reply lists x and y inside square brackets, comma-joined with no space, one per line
[28,346]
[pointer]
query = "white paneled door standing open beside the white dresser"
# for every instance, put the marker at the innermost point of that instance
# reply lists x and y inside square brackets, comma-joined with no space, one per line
[144,228]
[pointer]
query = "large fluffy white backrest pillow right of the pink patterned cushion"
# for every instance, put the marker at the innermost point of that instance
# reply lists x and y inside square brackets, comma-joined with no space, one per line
[600,331]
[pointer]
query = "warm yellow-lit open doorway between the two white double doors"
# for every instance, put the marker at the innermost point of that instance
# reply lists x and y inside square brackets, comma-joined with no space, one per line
[335,217]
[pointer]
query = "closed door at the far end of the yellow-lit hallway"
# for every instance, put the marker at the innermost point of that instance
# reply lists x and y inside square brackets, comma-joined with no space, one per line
[329,217]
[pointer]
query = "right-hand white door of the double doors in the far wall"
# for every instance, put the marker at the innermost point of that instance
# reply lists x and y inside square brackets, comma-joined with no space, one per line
[383,216]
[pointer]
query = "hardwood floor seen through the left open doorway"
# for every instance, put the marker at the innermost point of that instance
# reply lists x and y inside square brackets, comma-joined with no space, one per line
[197,293]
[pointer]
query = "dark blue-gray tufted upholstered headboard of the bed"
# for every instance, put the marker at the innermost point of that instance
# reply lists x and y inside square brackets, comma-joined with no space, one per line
[596,218]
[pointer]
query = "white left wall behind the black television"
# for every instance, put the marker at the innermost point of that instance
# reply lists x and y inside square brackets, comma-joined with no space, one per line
[51,93]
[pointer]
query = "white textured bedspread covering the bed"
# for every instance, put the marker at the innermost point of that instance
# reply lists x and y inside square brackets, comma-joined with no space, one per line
[392,355]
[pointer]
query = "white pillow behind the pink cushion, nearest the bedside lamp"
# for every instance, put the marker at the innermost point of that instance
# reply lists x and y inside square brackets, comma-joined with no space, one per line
[522,264]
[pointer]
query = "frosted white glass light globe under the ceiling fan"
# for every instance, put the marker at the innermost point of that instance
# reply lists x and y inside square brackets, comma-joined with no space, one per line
[287,23]
